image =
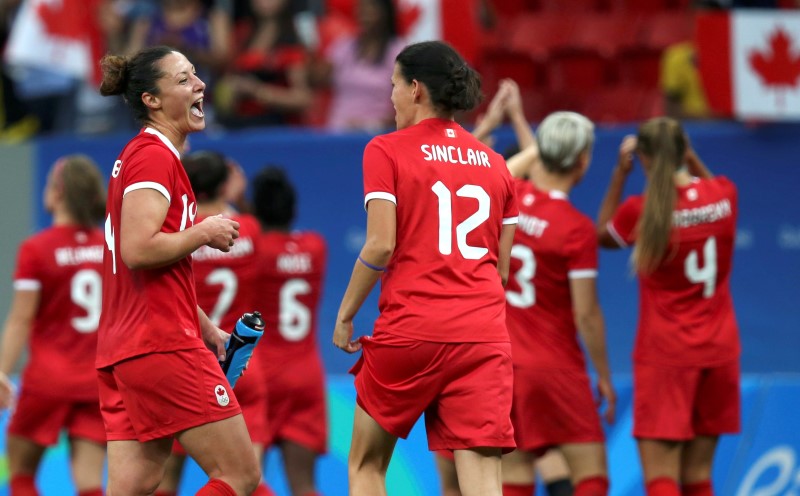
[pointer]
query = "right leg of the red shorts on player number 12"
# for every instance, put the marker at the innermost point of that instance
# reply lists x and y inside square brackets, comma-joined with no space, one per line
[473,408]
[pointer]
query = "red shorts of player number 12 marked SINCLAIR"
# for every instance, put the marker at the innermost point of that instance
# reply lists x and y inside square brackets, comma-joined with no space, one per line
[464,389]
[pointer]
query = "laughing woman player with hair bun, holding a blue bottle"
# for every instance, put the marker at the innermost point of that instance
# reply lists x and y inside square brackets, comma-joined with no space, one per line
[158,380]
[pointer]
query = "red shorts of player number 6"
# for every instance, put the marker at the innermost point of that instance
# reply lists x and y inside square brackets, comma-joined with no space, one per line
[297,410]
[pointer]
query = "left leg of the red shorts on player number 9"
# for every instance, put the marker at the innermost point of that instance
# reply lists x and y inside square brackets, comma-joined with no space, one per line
[38,418]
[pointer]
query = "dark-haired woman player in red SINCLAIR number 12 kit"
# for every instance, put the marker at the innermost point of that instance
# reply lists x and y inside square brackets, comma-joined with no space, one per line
[441,214]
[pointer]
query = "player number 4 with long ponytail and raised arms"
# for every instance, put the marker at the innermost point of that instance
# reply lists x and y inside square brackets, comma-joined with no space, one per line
[686,357]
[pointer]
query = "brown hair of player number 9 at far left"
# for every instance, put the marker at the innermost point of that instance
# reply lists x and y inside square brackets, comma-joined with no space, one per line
[82,186]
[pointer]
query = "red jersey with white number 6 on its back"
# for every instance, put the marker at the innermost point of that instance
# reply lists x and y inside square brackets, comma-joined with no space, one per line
[292,266]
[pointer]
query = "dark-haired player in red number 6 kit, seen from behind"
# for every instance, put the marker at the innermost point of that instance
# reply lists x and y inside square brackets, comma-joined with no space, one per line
[292,265]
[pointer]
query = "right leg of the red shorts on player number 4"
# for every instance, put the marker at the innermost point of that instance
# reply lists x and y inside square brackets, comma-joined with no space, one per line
[717,403]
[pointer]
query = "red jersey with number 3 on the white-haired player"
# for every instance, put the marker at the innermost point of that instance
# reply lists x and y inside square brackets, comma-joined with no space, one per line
[553,243]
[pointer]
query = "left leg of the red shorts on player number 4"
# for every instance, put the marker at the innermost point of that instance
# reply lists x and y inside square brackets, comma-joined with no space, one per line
[663,401]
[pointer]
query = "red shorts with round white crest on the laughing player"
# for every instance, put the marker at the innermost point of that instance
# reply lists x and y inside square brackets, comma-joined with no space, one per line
[160,394]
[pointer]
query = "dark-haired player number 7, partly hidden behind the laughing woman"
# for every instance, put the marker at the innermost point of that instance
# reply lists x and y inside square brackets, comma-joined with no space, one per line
[227,285]
